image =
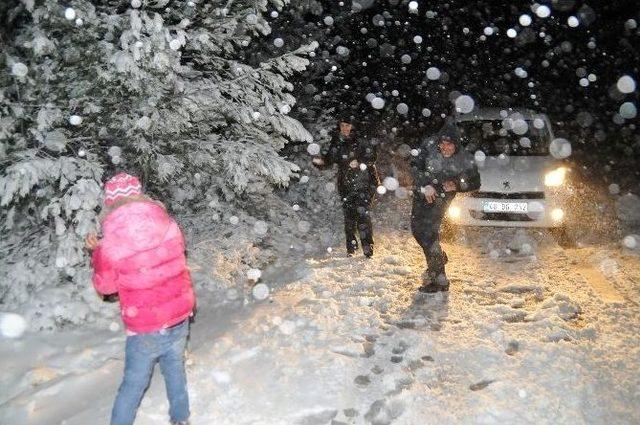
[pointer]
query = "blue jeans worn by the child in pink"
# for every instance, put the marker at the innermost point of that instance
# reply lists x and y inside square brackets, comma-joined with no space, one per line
[142,351]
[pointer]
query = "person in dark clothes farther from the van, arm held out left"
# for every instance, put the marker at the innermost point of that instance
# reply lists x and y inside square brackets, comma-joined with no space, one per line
[358,179]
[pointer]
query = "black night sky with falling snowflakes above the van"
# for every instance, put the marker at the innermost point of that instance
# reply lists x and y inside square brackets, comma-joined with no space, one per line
[484,69]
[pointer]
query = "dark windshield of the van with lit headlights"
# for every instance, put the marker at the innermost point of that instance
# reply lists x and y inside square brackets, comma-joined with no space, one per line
[493,139]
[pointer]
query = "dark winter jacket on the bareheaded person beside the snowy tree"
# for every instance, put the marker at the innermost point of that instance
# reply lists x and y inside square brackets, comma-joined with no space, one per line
[356,158]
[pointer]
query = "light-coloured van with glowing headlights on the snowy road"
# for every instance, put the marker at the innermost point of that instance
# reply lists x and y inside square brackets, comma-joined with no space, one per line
[522,184]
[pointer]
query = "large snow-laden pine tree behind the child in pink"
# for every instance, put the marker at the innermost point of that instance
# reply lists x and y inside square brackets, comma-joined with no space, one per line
[156,88]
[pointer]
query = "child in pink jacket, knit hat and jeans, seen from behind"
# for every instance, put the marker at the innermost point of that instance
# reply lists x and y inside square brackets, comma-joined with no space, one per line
[141,258]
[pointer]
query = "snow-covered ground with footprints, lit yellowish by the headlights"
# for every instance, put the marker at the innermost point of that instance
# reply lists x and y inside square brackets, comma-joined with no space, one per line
[530,333]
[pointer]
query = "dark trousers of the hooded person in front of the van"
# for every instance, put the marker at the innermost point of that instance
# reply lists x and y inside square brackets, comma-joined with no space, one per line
[425,225]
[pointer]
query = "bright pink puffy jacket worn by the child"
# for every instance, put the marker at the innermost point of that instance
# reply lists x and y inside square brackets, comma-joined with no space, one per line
[141,257]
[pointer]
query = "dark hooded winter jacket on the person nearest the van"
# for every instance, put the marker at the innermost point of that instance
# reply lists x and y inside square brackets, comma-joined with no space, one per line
[430,167]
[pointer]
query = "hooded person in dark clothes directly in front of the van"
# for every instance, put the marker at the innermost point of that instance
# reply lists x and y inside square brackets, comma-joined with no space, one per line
[441,168]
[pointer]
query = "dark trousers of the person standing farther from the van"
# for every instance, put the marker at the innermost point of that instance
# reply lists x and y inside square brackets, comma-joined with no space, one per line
[357,218]
